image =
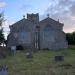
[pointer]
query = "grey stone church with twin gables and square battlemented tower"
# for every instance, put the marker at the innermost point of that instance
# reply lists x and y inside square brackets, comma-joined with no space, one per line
[31,33]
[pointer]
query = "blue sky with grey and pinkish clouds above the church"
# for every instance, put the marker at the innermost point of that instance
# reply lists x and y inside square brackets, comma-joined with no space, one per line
[64,10]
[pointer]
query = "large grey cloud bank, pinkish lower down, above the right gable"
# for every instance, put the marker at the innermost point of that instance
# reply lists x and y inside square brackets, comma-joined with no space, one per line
[63,10]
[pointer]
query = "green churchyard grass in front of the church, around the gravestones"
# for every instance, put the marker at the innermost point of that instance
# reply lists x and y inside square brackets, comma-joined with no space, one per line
[42,63]
